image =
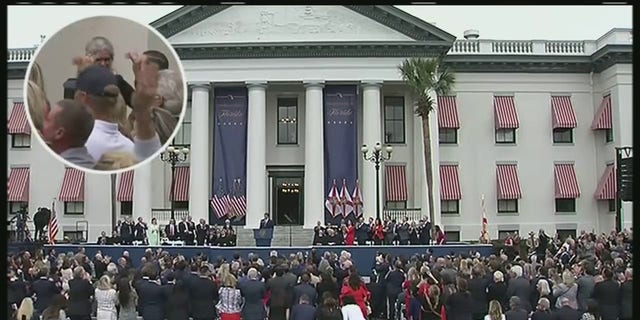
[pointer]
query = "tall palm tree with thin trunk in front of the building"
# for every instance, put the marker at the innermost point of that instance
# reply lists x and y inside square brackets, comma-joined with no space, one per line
[426,76]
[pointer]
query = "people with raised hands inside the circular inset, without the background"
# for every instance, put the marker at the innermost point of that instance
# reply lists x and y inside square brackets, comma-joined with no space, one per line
[104,123]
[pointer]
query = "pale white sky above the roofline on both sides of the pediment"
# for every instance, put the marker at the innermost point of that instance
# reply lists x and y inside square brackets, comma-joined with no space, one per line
[25,24]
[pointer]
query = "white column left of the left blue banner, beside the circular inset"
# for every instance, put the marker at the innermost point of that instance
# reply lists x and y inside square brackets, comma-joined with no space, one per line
[199,177]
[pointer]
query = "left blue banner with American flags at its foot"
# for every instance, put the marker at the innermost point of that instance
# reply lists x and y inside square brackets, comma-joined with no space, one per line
[229,188]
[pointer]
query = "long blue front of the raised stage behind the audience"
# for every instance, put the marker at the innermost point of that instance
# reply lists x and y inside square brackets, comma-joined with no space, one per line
[362,256]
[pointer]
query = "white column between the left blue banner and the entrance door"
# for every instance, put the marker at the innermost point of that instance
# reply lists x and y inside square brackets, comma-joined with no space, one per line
[256,154]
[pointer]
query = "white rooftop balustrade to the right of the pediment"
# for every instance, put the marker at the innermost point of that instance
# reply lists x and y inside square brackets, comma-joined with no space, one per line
[540,47]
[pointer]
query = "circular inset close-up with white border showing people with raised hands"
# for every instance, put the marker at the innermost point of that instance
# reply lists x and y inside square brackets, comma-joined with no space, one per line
[105,94]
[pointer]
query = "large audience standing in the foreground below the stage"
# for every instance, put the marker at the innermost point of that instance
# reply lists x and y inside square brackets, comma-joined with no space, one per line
[595,282]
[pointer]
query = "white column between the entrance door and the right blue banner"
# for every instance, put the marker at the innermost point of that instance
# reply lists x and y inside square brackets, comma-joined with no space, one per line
[314,193]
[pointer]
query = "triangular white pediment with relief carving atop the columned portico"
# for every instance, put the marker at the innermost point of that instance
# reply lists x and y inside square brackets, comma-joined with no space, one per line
[286,24]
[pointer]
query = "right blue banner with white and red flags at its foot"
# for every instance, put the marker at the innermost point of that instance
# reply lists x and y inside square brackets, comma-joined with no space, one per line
[341,150]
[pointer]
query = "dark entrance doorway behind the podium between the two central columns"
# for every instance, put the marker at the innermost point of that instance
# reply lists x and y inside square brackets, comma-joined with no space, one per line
[287,200]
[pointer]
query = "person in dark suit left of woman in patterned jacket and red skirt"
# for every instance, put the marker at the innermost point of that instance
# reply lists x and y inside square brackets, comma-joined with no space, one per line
[204,295]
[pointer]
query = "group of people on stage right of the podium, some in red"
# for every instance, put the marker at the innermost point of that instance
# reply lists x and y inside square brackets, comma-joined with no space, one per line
[379,232]
